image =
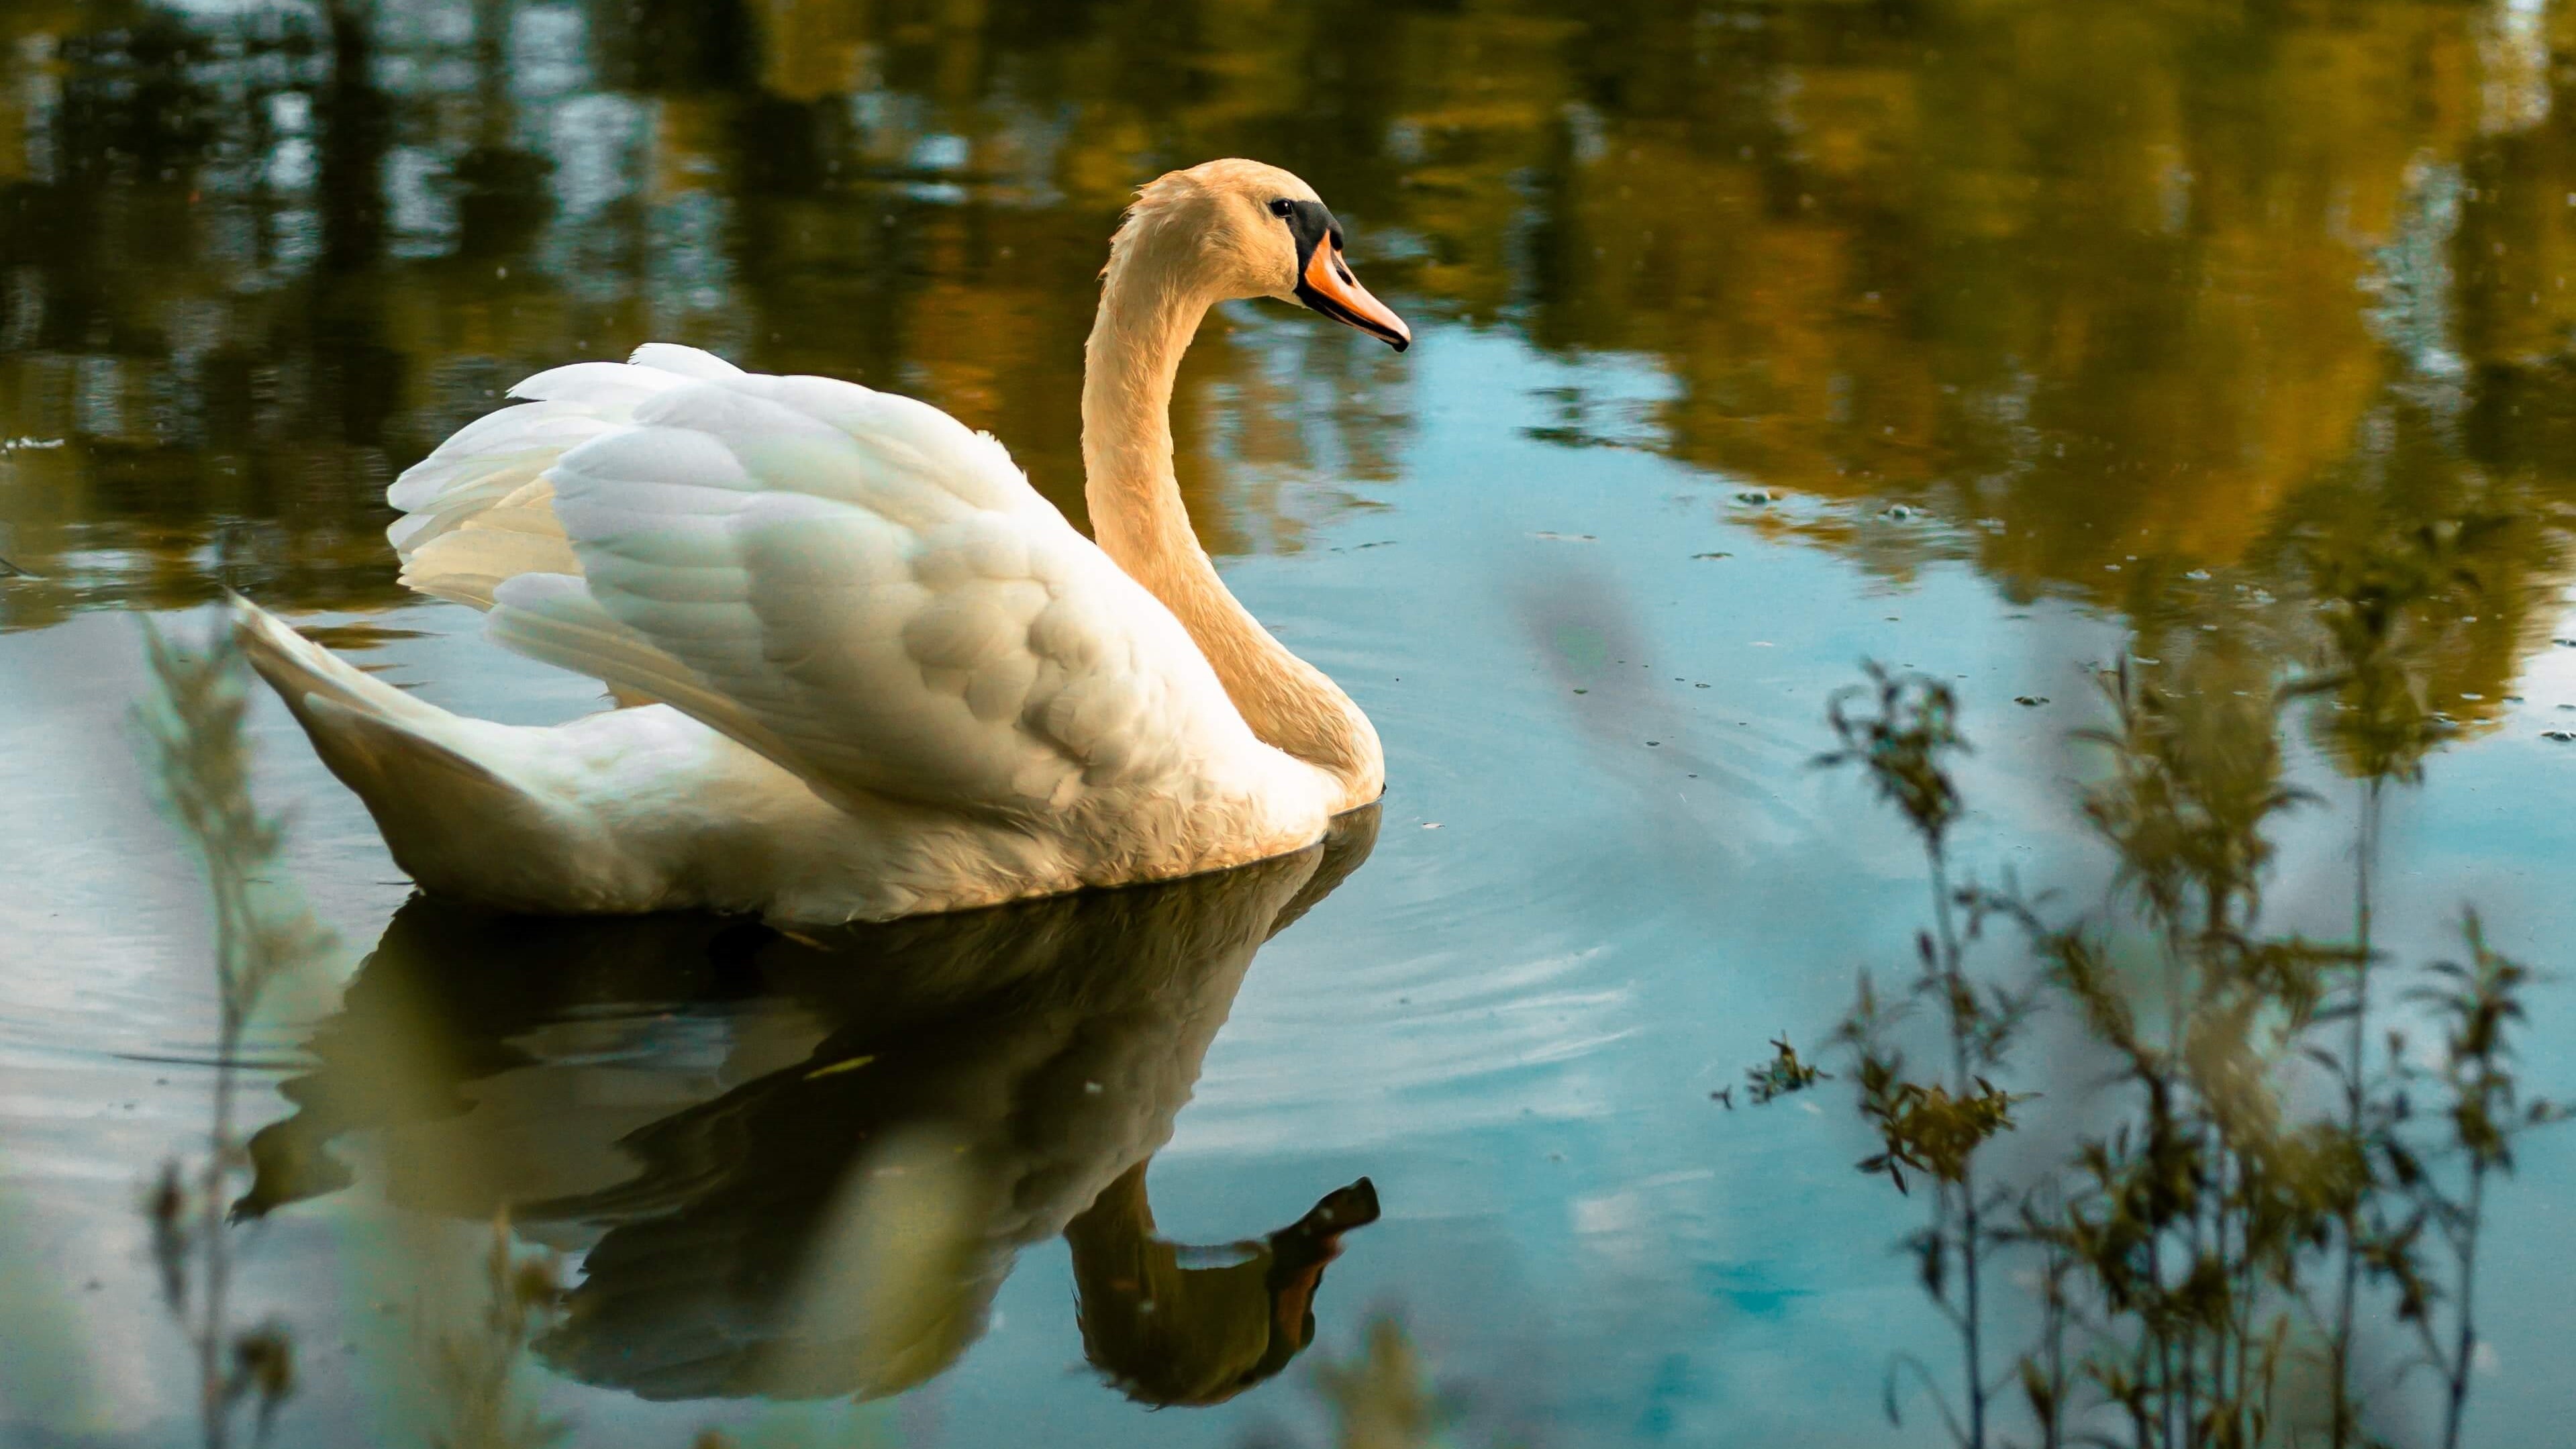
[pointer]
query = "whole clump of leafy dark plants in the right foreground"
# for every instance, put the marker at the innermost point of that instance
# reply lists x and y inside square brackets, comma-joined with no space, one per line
[2204,1247]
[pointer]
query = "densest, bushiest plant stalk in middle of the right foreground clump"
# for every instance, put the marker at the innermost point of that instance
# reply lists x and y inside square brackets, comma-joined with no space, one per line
[2178,1239]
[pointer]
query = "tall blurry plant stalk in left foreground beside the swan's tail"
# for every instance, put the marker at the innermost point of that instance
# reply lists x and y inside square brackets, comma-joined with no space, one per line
[261,936]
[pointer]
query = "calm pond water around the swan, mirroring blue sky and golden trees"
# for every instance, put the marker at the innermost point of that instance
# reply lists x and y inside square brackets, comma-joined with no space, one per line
[1993,341]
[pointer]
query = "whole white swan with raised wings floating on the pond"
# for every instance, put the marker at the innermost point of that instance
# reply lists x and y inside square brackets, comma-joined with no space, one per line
[890,678]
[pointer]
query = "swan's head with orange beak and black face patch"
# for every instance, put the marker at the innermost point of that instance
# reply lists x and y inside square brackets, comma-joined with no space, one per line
[1251,230]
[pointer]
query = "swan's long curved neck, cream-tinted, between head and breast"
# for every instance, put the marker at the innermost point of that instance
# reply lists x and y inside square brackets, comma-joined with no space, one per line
[1148,320]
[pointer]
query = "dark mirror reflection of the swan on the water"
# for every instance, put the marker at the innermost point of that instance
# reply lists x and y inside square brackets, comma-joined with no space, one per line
[813,1175]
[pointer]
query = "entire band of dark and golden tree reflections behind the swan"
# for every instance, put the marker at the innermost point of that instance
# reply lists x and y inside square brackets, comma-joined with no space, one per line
[2121,295]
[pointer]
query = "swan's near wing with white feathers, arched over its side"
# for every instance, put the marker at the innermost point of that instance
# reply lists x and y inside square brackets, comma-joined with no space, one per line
[867,593]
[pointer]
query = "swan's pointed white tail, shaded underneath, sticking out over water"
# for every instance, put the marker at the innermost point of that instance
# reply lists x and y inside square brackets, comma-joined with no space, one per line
[444,791]
